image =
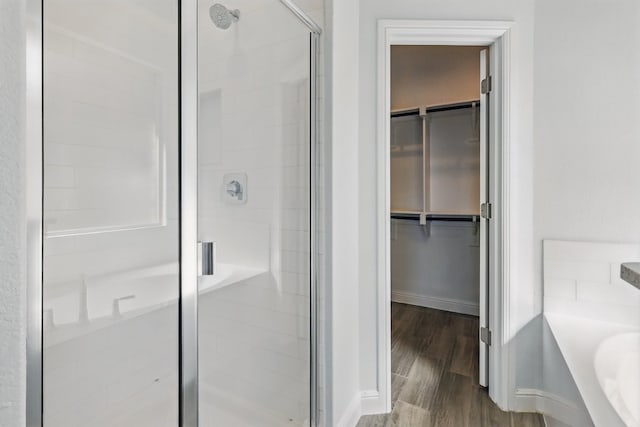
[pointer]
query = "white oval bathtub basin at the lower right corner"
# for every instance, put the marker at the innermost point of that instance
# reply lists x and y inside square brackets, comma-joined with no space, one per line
[617,365]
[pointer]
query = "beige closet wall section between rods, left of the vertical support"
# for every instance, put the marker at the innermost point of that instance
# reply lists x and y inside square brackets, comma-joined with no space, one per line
[406,163]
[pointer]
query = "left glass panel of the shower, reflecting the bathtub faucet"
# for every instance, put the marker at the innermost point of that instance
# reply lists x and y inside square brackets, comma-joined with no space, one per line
[111,282]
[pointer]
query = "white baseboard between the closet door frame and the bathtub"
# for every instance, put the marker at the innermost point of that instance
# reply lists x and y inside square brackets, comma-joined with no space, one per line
[557,410]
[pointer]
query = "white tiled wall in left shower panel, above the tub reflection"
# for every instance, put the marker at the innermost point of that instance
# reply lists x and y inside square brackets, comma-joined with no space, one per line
[106,139]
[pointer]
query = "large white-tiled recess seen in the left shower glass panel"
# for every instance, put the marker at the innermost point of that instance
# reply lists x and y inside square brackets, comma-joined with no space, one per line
[108,130]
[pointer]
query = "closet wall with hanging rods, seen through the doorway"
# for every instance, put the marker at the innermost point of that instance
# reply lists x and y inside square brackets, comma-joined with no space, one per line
[435,263]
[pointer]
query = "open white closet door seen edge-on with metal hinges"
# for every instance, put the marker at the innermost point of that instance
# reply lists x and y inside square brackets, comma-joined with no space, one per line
[485,211]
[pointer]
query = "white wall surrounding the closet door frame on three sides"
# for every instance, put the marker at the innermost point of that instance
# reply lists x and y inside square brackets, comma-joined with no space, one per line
[524,305]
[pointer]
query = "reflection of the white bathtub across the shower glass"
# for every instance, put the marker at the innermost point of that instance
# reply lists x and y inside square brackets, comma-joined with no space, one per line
[74,309]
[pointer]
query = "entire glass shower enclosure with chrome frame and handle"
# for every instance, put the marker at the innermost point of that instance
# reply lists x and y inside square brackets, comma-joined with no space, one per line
[178,215]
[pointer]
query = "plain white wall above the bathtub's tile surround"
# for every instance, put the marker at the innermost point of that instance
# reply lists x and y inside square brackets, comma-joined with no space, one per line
[587,79]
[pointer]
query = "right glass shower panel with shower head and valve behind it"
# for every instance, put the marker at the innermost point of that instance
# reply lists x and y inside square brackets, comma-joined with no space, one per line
[254,200]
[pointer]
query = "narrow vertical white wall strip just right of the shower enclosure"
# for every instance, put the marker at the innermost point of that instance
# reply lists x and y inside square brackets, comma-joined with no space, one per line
[343,298]
